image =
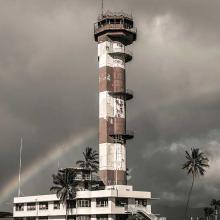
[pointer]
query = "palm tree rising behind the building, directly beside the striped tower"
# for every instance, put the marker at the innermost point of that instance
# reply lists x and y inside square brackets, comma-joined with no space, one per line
[90,161]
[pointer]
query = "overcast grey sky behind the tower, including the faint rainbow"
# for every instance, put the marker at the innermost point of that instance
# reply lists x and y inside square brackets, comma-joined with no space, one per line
[49,92]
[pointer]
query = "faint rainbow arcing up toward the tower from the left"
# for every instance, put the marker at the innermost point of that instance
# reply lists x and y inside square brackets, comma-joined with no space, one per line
[46,159]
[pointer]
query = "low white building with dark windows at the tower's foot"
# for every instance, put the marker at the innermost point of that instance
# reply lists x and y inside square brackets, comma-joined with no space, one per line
[115,202]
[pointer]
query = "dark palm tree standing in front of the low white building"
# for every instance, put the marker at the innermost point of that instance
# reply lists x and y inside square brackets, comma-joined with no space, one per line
[65,186]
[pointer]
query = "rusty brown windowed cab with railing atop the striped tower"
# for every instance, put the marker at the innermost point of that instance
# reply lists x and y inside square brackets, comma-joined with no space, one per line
[117,26]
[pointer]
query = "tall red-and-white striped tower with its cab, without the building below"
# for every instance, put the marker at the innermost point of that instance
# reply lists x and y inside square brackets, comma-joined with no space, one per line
[113,32]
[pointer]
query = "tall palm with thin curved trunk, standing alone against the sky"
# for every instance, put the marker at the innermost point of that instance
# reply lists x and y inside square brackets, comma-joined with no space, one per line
[195,165]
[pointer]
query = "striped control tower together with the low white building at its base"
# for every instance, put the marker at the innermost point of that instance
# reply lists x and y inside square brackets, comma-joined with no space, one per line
[116,200]
